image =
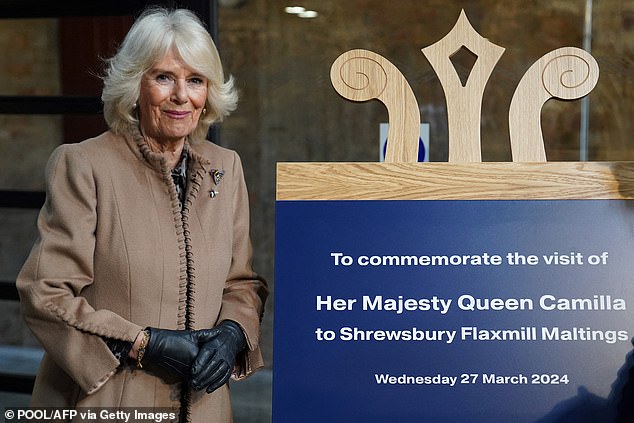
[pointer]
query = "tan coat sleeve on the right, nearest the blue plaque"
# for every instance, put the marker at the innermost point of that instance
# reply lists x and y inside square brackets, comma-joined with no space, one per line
[245,291]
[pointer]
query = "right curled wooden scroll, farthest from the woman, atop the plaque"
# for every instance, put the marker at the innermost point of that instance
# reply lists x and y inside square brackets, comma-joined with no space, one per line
[567,73]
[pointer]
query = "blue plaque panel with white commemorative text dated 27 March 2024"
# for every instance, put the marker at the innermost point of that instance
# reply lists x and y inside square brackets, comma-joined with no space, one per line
[453,311]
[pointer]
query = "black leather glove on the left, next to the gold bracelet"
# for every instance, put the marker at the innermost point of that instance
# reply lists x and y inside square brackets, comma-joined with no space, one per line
[171,351]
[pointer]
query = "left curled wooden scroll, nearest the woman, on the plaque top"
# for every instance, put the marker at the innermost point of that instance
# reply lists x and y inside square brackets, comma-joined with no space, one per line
[361,75]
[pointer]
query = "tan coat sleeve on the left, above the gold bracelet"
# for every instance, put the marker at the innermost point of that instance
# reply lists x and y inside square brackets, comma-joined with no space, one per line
[57,270]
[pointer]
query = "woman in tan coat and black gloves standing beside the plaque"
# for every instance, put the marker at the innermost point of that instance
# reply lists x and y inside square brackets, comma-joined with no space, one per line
[140,287]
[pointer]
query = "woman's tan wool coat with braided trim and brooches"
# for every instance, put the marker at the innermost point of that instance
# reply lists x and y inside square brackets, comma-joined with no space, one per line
[117,254]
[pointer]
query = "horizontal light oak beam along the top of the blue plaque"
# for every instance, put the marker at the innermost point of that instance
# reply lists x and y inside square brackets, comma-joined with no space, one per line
[468,181]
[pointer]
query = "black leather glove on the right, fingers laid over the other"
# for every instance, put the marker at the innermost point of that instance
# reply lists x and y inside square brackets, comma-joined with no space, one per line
[219,348]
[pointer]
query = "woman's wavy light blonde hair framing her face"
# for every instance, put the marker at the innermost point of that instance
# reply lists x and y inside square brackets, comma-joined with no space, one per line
[152,35]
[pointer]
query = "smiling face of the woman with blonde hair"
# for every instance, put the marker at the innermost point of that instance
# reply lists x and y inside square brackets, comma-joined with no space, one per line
[171,100]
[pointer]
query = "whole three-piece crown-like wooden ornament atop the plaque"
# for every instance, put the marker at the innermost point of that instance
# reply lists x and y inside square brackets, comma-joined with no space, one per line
[566,73]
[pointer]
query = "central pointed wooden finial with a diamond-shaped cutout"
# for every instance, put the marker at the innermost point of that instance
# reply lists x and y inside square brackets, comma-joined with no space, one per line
[464,103]
